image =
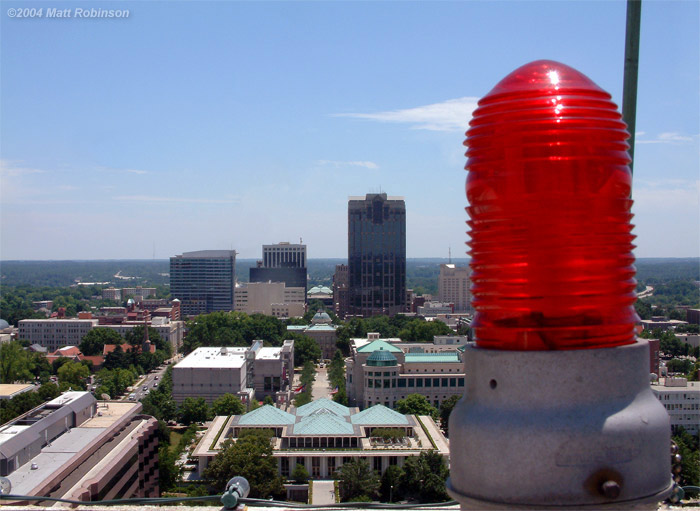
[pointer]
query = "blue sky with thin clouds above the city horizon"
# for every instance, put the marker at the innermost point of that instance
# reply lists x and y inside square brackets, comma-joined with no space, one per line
[217,125]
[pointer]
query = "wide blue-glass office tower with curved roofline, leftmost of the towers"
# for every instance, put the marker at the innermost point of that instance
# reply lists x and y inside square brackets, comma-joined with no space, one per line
[203,281]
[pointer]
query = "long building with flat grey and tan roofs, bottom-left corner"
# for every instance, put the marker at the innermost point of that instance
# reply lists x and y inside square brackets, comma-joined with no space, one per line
[76,448]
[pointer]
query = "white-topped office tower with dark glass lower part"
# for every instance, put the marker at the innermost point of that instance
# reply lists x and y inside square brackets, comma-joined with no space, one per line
[283,262]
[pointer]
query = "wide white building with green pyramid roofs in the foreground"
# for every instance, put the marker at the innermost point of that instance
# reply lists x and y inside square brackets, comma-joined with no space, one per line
[323,435]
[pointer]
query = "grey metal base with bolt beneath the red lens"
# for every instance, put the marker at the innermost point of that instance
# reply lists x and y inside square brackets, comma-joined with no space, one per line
[577,429]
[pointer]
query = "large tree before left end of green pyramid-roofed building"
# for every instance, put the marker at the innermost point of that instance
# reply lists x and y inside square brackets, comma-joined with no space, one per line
[251,457]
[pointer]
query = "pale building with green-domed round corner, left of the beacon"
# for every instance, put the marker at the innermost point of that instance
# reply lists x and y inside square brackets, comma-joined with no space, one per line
[386,370]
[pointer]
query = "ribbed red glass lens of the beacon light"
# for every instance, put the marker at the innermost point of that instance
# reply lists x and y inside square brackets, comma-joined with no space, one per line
[549,206]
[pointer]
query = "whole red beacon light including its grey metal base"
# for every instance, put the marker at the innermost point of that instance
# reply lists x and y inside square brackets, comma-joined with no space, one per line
[557,401]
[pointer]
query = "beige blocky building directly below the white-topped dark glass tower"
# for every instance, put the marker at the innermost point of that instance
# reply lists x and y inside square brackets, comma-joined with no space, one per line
[271,299]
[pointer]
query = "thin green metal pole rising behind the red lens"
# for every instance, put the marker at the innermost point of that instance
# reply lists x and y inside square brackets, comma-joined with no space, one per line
[629,85]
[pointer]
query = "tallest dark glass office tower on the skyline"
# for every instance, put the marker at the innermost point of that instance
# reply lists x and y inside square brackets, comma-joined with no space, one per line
[376,255]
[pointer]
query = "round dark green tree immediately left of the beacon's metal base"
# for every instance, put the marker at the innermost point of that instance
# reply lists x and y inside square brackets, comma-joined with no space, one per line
[425,476]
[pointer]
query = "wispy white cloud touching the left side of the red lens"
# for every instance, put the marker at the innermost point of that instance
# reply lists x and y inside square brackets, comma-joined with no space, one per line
[450,115]
